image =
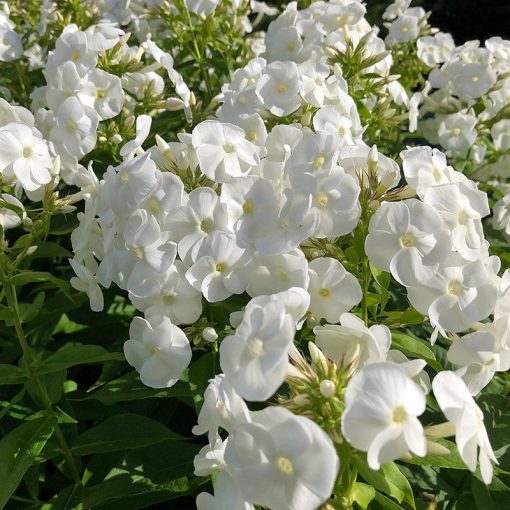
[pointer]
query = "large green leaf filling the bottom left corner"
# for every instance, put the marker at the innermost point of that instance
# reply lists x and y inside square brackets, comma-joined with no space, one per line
[18,450]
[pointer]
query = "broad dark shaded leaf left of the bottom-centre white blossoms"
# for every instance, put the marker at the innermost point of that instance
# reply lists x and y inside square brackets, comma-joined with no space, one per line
[122,432]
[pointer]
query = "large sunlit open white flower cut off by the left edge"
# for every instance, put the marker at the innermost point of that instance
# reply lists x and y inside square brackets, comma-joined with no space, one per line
[24,156]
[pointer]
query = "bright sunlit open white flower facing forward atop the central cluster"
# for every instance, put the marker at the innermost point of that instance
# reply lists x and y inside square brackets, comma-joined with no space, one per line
[223,151]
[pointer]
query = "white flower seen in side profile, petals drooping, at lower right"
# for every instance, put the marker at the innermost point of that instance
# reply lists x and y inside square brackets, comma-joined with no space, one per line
[471,437]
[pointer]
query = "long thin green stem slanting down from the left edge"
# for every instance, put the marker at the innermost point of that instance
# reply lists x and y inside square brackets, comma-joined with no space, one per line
[42,394]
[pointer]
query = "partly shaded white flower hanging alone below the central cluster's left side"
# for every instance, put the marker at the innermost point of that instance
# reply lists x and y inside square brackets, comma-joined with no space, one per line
[158,350]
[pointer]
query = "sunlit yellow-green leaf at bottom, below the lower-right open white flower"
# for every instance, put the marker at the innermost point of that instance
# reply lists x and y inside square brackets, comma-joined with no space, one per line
[388,479]
